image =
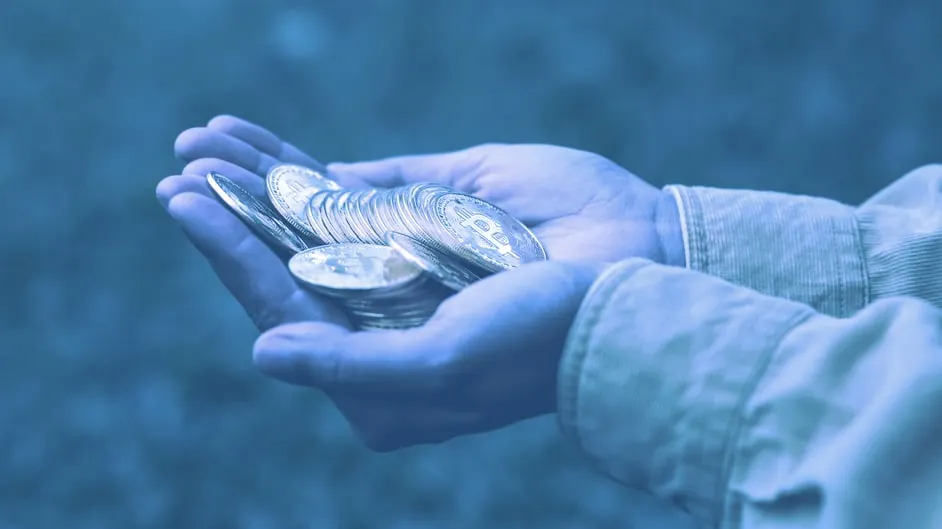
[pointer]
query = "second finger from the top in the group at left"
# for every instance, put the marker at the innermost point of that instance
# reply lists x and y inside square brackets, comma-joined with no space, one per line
[202,142]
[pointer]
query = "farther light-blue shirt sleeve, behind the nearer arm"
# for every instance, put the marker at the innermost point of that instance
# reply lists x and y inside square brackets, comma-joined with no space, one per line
[831,256]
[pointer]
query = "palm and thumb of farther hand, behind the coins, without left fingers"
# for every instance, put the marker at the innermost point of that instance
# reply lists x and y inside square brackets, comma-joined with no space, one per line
[580,205]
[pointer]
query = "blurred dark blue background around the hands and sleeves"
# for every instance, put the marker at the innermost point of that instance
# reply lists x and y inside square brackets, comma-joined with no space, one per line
[127,395]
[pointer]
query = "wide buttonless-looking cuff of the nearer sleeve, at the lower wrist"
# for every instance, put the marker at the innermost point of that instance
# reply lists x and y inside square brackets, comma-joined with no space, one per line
[653,378]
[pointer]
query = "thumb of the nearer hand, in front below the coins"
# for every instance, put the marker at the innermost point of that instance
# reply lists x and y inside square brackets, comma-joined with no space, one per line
[402,363]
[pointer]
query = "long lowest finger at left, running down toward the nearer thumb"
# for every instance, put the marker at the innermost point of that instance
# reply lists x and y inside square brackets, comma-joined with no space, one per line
[254,275]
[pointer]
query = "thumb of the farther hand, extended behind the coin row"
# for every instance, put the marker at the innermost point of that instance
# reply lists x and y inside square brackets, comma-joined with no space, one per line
[456,168]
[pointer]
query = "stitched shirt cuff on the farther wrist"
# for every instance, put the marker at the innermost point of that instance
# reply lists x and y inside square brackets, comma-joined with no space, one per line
[795,247]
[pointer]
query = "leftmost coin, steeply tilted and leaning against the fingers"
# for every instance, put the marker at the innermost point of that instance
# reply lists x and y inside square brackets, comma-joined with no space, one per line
[255,213]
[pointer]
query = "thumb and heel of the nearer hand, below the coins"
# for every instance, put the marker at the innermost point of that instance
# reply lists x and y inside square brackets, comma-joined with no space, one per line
[487,359]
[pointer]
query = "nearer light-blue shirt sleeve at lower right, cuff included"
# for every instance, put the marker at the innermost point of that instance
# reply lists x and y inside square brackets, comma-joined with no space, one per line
[750,411]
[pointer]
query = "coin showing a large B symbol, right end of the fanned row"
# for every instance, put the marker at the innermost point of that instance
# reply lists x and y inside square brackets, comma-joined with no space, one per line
[490,237]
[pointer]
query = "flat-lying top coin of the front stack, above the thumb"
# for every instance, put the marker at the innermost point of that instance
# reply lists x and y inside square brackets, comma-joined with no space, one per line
[343,267]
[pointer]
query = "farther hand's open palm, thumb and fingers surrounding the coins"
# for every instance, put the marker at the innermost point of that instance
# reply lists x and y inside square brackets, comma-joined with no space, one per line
[580,205]
